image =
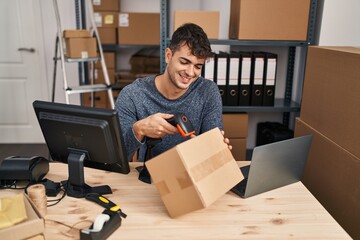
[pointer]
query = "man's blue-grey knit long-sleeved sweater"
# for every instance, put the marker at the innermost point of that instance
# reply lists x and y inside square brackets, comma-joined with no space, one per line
[201,104]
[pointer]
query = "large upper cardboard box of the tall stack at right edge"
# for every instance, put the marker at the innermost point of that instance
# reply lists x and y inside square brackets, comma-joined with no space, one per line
[331,101]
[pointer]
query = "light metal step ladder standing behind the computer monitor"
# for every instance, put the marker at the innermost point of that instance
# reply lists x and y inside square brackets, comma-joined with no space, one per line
[60,46]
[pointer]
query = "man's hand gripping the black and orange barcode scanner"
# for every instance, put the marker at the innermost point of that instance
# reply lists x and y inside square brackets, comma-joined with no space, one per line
[154,126]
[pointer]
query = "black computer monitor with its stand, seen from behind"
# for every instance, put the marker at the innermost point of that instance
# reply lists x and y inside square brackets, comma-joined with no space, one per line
[82,136]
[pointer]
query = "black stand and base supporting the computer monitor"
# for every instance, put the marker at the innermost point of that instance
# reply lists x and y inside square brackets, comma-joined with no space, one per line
[75,185]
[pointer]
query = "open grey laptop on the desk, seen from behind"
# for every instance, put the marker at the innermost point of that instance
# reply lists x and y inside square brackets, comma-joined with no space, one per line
[274,165]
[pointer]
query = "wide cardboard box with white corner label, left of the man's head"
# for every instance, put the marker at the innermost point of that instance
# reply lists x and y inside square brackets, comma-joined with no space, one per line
[139,28]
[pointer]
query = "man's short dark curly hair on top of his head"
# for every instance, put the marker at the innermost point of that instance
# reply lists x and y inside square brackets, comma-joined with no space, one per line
[194,37]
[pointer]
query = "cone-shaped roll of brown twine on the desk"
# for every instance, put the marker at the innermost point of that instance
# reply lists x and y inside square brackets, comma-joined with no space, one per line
[37,194]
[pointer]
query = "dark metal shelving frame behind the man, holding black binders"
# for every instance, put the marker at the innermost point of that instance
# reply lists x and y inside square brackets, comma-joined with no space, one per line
[284,105]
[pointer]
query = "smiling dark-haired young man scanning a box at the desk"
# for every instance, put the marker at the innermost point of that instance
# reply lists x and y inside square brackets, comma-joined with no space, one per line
[144,105]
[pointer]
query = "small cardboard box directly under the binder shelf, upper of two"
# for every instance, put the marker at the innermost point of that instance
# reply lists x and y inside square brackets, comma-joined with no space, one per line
[235,125]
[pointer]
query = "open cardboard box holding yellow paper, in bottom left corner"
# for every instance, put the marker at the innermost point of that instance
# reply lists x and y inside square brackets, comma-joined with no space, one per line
[31,227]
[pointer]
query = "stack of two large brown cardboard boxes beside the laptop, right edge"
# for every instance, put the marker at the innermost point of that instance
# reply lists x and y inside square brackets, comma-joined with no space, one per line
[330,112]
